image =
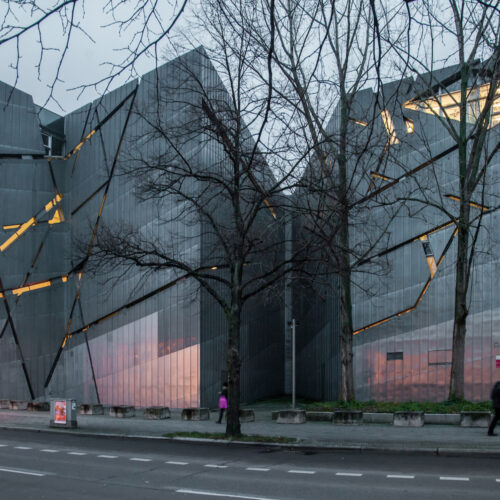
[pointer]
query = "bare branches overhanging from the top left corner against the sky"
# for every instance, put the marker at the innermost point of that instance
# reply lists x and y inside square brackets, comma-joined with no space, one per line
[143,27]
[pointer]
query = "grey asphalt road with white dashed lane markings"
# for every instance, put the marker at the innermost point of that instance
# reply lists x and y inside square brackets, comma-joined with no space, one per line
[54,466]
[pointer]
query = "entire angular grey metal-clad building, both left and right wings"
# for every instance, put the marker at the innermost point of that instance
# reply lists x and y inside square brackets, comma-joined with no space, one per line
[125,336]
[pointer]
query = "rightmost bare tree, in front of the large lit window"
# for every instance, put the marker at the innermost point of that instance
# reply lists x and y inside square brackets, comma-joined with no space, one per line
[463,99]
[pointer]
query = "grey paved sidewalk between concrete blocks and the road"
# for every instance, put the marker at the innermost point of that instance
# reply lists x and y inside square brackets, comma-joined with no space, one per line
[431,439]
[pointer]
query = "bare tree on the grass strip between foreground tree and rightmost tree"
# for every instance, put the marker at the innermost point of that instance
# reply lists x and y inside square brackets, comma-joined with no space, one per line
[327,52]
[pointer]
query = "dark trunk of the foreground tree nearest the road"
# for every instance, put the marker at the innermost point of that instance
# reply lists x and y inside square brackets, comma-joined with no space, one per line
[233,427]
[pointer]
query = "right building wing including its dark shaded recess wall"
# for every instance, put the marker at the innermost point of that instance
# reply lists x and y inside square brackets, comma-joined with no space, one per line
[403,291]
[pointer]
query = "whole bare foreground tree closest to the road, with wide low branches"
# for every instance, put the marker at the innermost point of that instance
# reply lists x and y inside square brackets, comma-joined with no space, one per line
[214,182]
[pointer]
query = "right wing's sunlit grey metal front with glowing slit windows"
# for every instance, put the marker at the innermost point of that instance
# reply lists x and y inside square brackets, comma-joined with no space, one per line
[404,328]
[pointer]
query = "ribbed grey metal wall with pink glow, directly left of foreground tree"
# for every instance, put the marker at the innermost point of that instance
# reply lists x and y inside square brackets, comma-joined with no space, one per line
[147,354]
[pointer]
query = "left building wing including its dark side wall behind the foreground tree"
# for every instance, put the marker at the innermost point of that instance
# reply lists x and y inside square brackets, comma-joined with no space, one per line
[122,336]
